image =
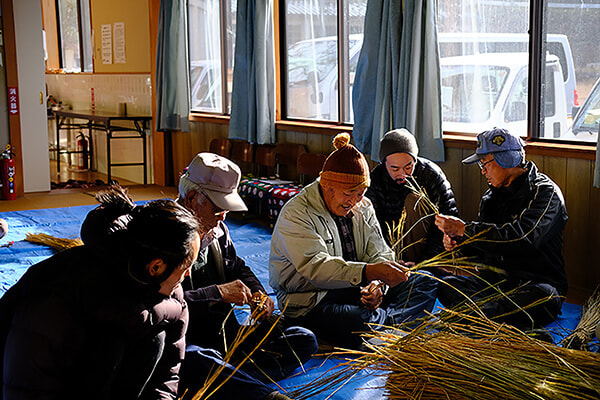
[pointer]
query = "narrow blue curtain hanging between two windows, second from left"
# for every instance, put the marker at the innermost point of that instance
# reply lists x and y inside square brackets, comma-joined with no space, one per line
[253,95]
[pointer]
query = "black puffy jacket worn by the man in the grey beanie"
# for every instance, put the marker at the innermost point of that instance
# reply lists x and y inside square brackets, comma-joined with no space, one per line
[388,199]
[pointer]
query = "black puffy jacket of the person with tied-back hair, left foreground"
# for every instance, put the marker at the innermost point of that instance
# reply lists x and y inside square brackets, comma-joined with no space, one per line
[77,326]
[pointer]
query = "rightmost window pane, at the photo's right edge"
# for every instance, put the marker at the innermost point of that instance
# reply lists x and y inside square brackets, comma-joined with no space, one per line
[572,36]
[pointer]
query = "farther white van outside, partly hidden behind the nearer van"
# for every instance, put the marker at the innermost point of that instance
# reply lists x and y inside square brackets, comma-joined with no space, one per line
[462,44]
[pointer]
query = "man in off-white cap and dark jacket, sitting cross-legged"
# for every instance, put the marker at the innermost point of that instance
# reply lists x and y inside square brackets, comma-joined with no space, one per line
[220,278]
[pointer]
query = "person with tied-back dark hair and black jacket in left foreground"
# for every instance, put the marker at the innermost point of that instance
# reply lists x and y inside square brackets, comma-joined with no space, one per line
[105,320]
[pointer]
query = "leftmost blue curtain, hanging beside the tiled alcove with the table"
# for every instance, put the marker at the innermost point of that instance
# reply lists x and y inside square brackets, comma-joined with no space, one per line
[172,68]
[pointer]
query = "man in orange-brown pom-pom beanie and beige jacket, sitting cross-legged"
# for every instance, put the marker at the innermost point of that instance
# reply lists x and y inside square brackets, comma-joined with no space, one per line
[329,265]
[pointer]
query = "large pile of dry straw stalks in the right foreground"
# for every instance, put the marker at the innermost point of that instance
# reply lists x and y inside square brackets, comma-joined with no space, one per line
[457,356]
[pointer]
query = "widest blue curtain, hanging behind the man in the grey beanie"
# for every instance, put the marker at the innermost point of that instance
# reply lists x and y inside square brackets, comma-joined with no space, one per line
[397,83]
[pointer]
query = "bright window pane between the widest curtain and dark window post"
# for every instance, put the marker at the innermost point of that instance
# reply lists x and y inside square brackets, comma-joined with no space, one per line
[484,60]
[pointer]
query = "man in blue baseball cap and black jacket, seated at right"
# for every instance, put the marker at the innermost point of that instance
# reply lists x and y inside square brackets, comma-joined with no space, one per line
[521,220]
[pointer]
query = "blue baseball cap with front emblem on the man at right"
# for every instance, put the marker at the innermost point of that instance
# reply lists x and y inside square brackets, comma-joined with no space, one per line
[506,148]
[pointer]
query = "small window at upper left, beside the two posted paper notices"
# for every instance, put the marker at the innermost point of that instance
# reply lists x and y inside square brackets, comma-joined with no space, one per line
[75,35]
